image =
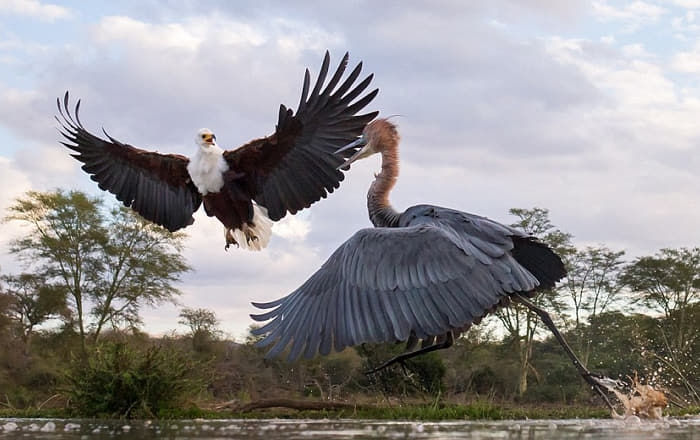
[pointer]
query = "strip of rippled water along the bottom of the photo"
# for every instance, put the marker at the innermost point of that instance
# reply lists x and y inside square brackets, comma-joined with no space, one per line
[276,429]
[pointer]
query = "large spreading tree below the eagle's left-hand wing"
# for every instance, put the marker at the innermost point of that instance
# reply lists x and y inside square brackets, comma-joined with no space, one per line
[110,263]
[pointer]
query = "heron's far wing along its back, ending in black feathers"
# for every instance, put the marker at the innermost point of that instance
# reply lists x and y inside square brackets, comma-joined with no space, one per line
[491,239]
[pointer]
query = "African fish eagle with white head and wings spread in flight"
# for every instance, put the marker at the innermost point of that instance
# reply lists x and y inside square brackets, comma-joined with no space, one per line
[246,188]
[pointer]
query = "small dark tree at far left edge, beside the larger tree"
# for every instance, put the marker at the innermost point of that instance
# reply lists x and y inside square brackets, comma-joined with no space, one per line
[33,301]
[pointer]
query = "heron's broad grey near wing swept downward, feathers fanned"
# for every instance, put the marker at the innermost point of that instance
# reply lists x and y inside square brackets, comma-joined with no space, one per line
[384,284]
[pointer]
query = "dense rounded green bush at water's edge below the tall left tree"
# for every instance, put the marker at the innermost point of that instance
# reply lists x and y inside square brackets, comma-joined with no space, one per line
[119,381]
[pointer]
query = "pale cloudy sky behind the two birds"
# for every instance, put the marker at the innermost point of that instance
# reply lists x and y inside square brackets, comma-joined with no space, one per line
[590,109]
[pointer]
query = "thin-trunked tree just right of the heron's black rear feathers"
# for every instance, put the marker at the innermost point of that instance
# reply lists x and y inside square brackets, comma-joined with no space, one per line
[593,283]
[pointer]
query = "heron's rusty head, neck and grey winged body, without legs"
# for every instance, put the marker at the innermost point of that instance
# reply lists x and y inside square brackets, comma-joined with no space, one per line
[421,274]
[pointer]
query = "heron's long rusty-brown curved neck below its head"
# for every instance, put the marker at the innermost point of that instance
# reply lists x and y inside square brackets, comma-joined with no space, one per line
[381,213]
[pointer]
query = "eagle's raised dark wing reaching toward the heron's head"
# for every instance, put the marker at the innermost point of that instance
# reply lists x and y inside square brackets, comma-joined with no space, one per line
[296,166]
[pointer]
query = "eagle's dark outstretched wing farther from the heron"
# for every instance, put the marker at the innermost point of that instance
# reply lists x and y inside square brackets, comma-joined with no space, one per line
[155,185]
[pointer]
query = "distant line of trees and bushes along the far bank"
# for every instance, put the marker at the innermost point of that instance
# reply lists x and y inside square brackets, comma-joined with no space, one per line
[93,269]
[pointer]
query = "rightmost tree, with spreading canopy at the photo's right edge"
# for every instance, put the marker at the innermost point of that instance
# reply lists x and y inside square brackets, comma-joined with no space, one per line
[668,282]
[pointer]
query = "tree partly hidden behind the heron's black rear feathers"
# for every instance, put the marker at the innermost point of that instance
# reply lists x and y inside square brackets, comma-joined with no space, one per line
[521,323]
